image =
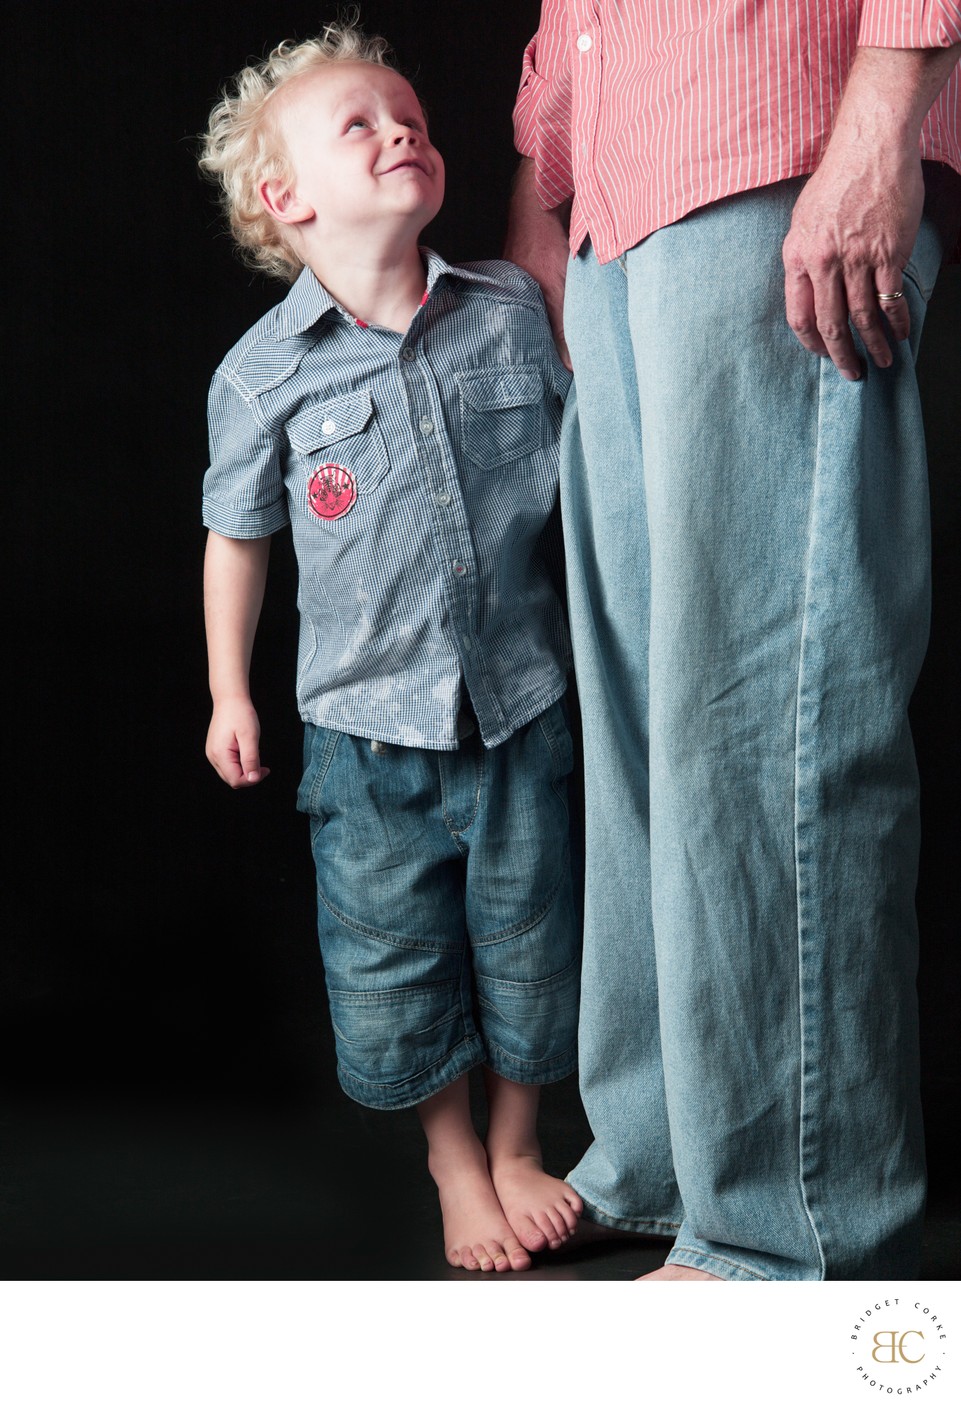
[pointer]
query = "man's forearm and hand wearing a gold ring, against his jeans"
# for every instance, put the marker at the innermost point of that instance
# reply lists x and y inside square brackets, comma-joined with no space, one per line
[857,219]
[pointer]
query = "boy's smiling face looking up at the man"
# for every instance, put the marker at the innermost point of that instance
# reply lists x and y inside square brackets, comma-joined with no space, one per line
[359,146]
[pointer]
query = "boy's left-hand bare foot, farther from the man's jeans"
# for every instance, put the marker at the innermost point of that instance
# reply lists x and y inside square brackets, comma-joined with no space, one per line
[477,1234]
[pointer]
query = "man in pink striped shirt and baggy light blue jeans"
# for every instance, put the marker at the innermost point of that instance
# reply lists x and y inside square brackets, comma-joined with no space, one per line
[748,539]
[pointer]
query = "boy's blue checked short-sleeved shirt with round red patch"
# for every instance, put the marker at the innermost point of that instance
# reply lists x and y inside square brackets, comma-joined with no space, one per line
[418,473]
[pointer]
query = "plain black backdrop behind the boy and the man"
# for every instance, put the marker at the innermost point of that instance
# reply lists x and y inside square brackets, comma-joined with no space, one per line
[160,933]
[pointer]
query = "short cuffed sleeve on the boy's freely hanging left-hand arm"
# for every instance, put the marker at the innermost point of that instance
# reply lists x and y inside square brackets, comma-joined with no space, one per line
[243,492]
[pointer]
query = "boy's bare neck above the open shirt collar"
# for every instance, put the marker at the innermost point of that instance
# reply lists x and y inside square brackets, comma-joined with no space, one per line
[384,288]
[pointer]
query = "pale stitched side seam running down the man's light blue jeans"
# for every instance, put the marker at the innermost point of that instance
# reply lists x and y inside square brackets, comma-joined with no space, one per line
[800,883]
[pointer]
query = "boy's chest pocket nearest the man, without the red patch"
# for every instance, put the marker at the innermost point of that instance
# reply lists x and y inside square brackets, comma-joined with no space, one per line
[504,416]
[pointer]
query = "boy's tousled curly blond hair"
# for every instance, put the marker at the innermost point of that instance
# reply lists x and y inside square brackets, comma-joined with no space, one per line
[243,149]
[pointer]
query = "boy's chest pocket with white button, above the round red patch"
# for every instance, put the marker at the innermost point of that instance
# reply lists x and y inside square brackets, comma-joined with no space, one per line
[342,432]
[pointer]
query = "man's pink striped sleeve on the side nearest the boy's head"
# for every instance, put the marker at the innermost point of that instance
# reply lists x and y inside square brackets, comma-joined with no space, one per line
[543,109]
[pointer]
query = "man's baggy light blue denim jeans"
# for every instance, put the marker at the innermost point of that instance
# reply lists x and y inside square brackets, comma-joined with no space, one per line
[748,540]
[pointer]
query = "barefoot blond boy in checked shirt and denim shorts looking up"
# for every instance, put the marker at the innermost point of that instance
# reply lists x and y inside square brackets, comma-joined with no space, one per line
[402,415]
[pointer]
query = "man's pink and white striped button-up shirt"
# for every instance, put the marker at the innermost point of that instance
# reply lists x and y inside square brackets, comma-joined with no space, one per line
[645,111]
